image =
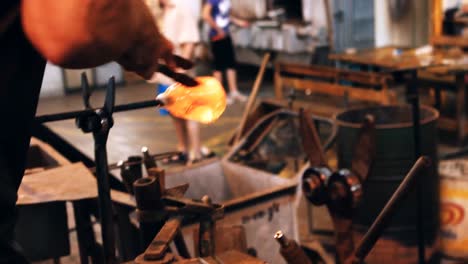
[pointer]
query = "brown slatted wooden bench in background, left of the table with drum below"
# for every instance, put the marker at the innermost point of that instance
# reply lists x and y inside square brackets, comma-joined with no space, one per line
[363,86]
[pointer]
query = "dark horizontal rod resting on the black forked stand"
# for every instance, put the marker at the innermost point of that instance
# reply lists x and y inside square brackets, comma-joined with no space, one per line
[117,108]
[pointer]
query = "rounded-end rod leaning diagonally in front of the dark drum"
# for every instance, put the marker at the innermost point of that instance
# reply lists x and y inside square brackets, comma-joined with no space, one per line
[383,219]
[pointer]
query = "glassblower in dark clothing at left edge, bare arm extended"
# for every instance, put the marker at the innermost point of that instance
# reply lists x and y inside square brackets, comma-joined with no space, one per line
[71,34]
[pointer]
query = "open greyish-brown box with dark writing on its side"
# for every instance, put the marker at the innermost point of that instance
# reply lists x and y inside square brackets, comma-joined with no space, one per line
[260,202]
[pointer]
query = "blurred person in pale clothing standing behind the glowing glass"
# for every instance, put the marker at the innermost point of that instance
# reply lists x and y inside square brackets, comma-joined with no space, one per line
[180,26]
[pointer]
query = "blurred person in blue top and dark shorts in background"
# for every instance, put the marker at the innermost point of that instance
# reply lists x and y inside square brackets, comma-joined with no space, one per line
[218,16]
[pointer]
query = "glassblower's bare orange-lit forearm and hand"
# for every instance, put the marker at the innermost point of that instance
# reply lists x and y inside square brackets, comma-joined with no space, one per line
[87,33]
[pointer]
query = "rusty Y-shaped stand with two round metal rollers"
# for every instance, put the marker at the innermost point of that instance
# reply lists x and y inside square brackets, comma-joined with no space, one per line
[341,190]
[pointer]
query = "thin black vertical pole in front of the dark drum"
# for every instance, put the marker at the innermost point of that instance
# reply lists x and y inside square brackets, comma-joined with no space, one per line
[413,98]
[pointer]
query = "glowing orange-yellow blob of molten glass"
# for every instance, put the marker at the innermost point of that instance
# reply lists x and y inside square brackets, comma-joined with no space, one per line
[204,103]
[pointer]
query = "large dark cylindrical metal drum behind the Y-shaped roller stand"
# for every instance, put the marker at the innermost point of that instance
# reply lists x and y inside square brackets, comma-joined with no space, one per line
[394,158]
